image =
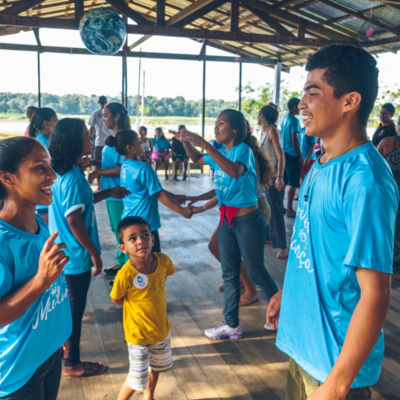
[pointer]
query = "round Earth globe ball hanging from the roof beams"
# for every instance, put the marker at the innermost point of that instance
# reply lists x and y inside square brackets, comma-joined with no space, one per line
[102,31]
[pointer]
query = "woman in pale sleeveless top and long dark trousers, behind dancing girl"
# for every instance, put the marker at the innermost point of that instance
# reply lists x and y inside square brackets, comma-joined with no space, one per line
[270,142]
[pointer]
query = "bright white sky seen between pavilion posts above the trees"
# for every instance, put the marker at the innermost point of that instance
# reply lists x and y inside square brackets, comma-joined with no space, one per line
[83,74]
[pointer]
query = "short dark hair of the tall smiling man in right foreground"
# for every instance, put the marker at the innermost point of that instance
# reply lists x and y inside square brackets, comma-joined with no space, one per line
[349,69]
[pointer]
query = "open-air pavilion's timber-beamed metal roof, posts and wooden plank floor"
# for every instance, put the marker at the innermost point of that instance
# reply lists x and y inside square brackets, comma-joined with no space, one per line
[279,35]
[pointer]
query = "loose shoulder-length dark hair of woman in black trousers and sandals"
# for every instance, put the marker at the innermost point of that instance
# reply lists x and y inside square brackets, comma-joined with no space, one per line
[66,144]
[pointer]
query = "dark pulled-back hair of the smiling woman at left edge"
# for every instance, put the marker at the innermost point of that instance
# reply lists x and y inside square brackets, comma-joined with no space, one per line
[13,151]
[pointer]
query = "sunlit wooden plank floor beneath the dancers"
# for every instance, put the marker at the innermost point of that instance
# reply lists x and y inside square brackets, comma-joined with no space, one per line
[251,368]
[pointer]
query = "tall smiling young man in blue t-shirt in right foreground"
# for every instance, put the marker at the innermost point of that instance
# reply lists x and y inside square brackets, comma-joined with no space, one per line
[336,291]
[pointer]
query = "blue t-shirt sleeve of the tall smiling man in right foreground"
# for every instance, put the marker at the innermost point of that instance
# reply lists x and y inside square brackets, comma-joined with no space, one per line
[372,240]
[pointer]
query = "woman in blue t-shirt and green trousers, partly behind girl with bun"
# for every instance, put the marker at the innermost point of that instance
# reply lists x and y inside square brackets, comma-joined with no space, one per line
[115,117]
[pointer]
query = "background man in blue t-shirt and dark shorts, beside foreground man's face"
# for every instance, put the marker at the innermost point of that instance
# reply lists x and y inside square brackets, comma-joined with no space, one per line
[290,129]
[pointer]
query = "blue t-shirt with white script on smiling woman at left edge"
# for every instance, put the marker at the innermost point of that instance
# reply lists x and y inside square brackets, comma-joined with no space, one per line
[45,326]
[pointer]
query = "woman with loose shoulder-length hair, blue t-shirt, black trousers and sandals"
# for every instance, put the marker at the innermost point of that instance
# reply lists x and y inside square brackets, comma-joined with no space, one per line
[72,214]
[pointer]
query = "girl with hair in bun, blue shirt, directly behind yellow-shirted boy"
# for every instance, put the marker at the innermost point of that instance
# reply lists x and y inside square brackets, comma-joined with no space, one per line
[145,190]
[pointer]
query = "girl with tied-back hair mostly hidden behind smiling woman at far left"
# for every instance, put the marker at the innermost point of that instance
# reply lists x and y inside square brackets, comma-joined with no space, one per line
[41,126]
